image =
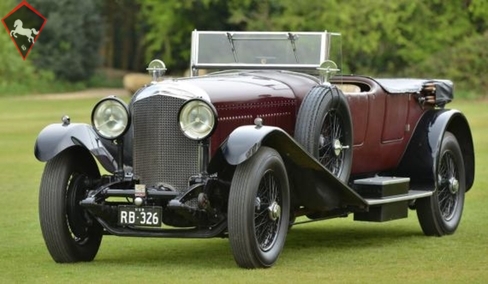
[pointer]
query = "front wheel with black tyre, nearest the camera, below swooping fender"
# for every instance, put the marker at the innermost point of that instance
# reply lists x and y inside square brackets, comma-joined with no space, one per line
[259,210]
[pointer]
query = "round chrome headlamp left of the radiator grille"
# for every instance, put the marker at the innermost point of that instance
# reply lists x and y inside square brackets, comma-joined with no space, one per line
[111,118]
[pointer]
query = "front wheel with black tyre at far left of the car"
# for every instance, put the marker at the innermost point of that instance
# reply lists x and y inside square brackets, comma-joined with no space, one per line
[69,232]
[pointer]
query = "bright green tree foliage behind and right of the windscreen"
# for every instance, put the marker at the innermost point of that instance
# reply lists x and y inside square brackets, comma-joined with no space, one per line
[410,38]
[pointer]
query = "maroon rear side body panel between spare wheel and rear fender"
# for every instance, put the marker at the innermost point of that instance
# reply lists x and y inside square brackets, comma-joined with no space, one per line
[383,124]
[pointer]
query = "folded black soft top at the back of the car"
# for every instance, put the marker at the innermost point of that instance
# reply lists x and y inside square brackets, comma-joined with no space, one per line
[444,88]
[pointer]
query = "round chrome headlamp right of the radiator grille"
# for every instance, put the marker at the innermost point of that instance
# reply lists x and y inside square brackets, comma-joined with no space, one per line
[197,119]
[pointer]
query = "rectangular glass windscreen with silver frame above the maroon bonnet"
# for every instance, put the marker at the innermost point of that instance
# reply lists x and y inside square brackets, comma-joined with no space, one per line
[259,48]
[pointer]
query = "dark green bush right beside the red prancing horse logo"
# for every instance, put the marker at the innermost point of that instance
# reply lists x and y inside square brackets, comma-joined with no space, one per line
[70,41]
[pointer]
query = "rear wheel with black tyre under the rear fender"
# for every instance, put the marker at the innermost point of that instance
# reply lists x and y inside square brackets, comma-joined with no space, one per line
[440,214]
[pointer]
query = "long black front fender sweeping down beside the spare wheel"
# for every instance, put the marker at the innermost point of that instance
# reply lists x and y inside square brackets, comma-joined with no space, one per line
[325,192]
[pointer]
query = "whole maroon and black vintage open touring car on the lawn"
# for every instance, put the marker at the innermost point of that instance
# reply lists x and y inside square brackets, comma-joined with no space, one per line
[270,137]
